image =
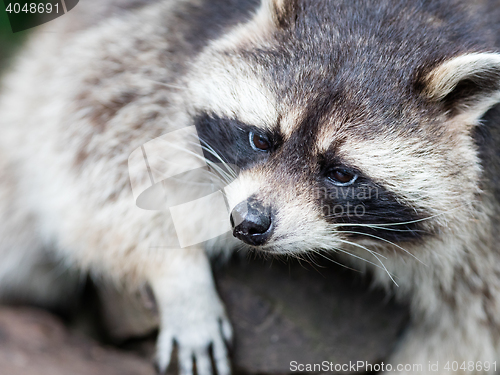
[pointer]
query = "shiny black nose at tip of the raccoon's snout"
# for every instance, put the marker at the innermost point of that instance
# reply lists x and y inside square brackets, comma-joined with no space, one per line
[252,222]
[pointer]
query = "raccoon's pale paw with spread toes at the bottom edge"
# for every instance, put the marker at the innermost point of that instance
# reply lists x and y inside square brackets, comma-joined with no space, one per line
[202,336]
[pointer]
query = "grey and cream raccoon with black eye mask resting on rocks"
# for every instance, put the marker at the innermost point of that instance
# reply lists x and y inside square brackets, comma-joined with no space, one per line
[365,129]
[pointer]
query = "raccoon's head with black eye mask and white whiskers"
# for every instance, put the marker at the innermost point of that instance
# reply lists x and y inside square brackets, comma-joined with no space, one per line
[350,123]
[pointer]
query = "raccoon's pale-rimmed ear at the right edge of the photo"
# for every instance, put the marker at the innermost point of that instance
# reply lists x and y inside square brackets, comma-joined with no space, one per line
[466,85]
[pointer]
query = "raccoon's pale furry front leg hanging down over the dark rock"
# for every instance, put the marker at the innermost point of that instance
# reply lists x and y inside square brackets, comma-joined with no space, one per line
[191,315]
